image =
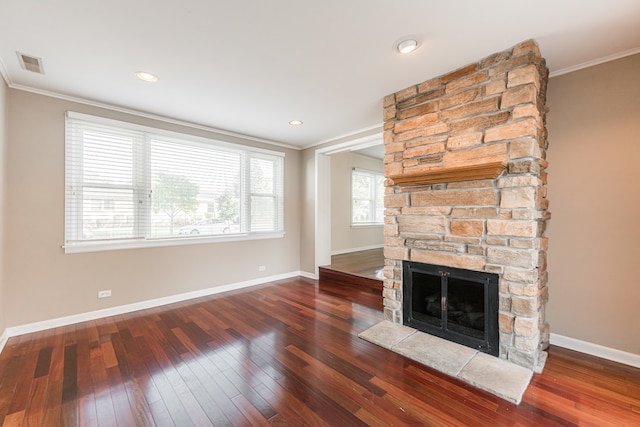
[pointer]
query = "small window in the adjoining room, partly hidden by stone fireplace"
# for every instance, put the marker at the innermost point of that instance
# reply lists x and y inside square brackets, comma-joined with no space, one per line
[367,197]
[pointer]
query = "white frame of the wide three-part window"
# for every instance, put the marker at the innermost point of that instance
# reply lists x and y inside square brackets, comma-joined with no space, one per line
[141,188]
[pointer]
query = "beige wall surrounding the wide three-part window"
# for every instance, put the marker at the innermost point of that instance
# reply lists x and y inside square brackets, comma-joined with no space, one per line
[41,282]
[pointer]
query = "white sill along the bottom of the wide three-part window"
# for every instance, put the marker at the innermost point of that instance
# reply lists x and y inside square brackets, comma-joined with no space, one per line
[99,246]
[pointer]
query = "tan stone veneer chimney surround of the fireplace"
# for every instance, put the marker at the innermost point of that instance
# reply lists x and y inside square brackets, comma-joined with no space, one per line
[490,111]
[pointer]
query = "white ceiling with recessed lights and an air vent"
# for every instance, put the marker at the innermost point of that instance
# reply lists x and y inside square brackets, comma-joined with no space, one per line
[250,66]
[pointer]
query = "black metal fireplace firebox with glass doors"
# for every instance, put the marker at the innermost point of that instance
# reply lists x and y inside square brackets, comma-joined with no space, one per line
[452,303]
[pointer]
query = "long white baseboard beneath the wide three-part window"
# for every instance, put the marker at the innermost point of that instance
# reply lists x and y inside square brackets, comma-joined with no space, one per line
[122,309]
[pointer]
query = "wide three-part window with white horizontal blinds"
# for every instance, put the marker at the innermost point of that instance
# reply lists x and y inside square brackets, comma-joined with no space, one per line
[134,186]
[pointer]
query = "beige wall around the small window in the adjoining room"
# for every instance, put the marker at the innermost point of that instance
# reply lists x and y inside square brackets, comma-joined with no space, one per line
[344,237]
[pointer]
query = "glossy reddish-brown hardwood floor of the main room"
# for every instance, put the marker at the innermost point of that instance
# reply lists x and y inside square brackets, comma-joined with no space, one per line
[282,354]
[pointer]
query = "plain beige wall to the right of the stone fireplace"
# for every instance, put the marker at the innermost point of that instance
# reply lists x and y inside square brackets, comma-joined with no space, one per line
[594,173]
